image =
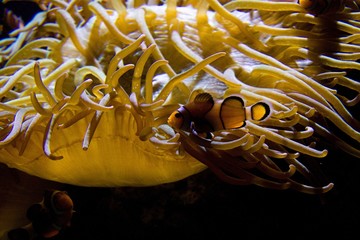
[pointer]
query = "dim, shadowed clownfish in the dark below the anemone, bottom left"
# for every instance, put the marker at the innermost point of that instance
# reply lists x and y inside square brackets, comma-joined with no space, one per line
[52,214]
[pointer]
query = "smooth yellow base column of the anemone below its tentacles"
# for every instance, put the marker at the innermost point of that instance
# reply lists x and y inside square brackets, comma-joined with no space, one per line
[116,156]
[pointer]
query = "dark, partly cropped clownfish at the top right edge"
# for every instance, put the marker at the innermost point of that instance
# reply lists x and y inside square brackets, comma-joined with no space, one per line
[318,7]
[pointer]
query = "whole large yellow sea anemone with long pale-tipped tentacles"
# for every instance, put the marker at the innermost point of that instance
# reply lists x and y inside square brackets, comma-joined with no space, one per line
[104,78]
